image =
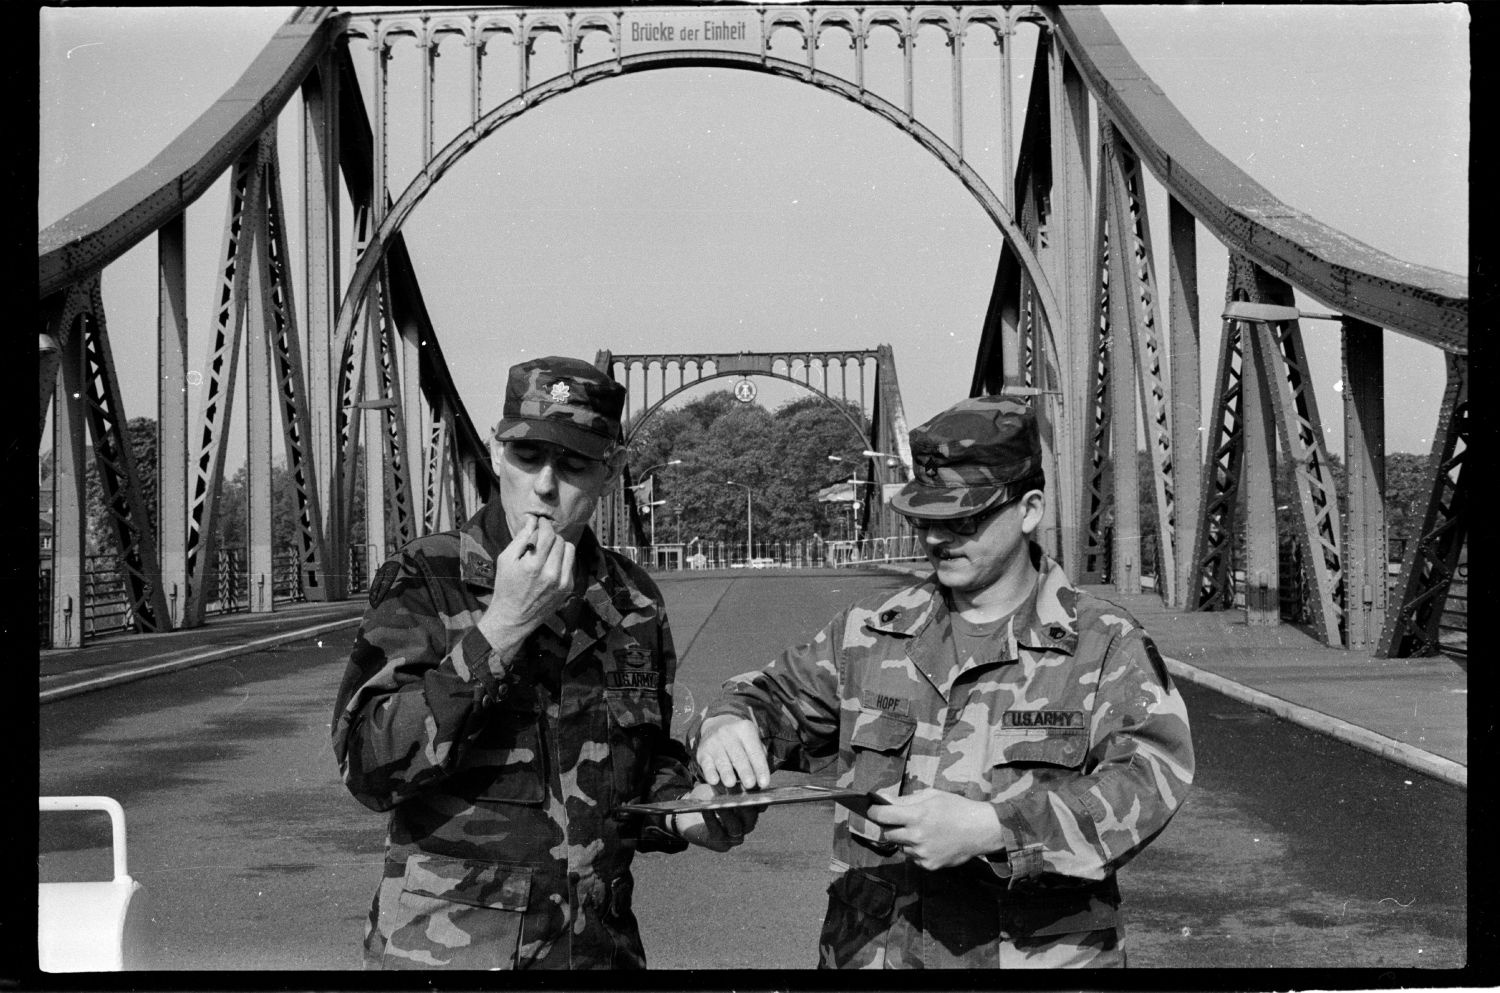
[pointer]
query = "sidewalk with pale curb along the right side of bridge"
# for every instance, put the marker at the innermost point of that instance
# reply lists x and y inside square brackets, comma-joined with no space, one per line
[1414,712]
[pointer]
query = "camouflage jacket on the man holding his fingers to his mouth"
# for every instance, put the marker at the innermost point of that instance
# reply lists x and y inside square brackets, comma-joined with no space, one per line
[500,778]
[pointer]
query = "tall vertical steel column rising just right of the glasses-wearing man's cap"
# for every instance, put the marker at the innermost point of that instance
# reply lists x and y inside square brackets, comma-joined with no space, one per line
[1067,263]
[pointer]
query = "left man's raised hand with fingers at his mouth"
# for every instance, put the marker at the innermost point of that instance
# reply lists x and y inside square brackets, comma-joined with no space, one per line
[533,581]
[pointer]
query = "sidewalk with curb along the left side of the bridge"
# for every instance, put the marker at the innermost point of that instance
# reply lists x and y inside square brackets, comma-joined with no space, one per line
[116,659]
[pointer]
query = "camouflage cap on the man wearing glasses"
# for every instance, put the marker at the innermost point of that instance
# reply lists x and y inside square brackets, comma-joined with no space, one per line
[970,457]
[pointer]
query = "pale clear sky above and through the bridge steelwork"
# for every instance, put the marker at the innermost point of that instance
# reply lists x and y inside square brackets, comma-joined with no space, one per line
[724,211]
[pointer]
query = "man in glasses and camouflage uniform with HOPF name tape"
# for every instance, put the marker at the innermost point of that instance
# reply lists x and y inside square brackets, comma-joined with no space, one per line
[1025,733]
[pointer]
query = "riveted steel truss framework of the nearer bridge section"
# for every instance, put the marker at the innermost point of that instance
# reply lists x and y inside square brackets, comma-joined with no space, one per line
[1078,319]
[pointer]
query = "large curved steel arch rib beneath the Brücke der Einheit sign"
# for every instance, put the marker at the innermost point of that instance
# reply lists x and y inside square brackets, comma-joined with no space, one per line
[401,211]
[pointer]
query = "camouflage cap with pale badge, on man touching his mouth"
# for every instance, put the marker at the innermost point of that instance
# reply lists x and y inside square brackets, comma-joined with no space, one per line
[563,401]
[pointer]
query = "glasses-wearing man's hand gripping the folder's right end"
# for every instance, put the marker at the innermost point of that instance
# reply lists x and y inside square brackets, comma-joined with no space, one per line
[937,829]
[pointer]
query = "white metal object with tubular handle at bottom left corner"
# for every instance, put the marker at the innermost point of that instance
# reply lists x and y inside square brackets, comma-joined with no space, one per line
[94,926]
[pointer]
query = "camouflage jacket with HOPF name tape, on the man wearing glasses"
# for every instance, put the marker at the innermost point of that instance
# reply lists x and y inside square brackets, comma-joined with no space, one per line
[1072,728]
